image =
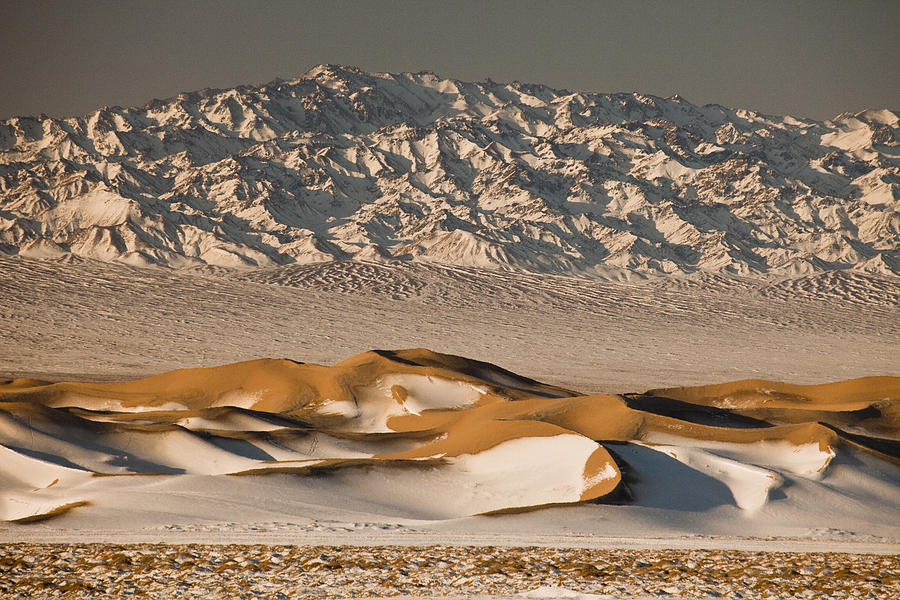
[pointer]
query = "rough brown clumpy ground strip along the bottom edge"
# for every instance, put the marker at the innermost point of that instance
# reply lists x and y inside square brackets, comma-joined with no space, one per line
[267,571]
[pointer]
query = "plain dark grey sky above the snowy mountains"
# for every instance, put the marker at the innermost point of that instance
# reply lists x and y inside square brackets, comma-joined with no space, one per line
[813,59]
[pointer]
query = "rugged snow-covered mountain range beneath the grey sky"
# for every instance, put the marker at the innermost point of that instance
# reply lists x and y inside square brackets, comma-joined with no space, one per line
[340,163]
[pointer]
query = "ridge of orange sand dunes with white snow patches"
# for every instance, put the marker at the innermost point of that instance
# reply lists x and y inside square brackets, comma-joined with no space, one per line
[485,439]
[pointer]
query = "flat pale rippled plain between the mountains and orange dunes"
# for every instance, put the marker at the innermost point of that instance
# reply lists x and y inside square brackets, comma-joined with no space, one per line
[108,322]
